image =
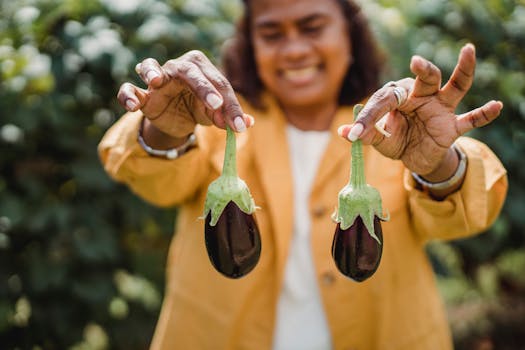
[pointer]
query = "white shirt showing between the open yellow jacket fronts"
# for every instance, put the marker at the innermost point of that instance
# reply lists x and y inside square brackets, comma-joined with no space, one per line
[301,323]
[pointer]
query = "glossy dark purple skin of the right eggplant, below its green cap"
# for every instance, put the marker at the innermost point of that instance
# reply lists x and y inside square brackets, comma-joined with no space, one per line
[357,254]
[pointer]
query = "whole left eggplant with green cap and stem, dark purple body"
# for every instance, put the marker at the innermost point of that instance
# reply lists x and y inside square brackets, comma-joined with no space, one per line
[231,234]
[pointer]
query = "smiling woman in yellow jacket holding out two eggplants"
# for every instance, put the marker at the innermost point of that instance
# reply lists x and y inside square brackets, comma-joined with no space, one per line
[297,67]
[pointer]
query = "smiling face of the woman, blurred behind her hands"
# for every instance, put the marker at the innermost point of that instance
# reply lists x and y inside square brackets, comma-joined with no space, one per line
[302,50]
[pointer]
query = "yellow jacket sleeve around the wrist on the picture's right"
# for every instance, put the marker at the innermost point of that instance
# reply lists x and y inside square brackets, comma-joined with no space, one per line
[468,211]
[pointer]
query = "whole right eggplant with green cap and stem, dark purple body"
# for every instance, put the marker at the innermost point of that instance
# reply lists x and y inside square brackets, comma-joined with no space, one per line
[358,240]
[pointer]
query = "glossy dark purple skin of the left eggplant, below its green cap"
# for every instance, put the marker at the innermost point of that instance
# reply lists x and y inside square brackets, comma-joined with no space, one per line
[234,243]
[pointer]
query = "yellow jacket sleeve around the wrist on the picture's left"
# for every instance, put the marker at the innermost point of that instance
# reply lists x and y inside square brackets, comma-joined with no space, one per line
[159,181]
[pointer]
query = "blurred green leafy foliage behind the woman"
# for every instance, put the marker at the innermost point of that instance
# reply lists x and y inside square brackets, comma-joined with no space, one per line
[82,259]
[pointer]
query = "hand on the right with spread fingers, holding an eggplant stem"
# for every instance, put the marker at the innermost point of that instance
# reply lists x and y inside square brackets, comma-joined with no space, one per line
[420,117]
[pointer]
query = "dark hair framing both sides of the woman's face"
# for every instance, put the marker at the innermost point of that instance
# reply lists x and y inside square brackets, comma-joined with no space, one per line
[361,79]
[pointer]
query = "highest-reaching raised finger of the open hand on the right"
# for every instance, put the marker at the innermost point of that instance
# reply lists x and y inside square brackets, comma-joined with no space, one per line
[462,77]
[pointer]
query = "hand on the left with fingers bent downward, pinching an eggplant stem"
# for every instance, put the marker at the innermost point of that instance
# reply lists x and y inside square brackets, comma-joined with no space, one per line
[183,92]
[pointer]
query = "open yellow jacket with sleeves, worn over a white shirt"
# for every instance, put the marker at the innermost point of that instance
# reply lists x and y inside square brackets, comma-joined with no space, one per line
[398,308]
